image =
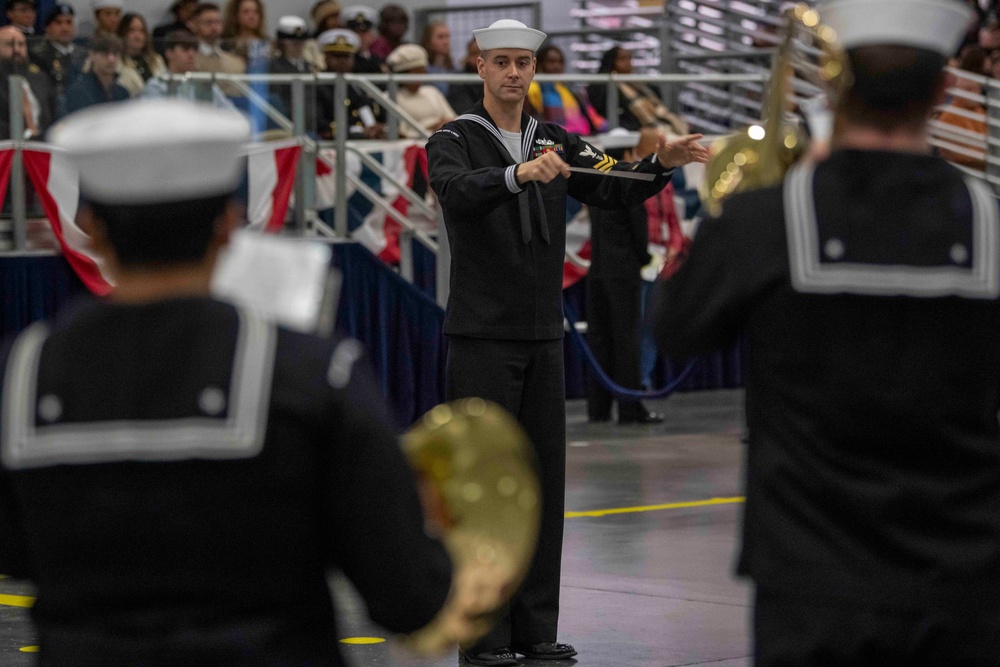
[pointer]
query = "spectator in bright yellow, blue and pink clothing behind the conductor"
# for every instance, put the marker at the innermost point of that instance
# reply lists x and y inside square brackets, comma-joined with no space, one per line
[556,102]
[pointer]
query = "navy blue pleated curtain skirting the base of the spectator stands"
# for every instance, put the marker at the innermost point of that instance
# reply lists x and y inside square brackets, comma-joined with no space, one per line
[401,325]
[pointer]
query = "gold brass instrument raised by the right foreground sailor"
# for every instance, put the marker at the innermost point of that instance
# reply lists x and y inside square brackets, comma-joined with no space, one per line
[760,155]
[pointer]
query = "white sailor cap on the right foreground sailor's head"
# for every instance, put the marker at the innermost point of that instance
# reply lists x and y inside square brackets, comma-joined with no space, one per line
[934,25]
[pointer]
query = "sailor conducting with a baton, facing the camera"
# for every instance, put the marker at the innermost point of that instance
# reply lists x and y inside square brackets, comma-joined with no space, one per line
[502,179]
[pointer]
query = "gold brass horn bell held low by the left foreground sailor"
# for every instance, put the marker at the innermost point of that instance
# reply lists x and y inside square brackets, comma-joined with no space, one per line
[481,470]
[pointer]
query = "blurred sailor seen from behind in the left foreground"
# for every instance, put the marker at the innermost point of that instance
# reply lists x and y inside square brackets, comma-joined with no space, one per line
[179,475]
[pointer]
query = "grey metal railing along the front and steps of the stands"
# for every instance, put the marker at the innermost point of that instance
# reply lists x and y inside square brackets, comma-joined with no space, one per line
[722,111]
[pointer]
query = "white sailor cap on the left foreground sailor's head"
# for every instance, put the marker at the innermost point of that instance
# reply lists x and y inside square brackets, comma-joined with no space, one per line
[154,151]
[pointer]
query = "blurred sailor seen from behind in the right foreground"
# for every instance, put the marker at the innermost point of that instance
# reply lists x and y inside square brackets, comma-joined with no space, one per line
[868,286]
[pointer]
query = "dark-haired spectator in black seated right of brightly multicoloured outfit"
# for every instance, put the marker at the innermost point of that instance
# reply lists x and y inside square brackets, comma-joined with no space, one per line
[639,107]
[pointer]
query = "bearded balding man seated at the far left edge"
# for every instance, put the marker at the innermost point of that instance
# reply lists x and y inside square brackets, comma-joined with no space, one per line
[39,97]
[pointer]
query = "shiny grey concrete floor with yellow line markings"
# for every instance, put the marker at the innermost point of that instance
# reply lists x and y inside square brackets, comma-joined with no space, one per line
[647,588]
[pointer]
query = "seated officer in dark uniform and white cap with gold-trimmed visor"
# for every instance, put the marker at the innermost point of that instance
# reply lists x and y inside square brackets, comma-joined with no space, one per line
[365,118]
